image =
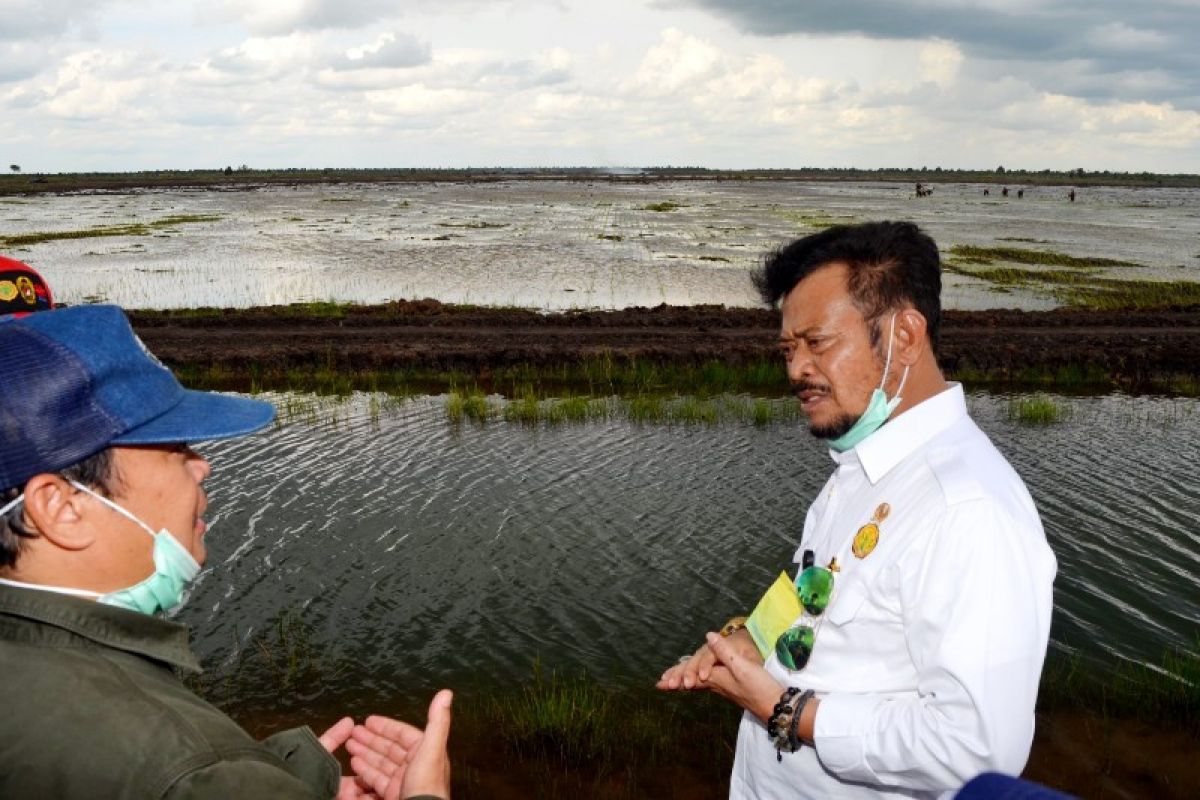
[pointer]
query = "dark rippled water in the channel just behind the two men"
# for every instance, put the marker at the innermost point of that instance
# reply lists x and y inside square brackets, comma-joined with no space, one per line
[422,554]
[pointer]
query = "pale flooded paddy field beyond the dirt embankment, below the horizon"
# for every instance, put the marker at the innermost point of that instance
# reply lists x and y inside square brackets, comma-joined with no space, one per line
[554,245]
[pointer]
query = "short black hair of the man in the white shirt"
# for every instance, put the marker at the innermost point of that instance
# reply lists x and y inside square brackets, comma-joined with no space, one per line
[890,263]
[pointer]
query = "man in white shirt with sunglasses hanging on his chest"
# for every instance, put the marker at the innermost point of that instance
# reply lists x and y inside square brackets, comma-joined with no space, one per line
[927,612]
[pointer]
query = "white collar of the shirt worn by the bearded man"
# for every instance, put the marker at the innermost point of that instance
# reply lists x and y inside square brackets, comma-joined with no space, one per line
[904,435]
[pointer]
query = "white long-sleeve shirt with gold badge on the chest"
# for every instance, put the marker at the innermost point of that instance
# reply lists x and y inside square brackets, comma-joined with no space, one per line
[928,658]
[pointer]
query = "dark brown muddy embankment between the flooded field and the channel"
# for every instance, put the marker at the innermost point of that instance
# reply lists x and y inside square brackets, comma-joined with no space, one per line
[1131,348]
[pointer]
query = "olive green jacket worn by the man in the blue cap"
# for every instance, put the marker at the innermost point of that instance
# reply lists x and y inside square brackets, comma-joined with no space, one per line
[93,708]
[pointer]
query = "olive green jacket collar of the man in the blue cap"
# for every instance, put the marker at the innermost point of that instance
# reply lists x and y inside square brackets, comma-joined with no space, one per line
[107,625]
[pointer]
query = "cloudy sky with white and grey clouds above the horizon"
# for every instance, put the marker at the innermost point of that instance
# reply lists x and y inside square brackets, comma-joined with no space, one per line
[140,85]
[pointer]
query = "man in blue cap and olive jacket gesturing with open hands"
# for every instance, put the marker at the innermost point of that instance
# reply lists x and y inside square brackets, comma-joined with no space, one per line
[101,528]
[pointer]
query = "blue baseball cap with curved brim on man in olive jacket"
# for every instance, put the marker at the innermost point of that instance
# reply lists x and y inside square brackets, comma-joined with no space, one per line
[76,381]
